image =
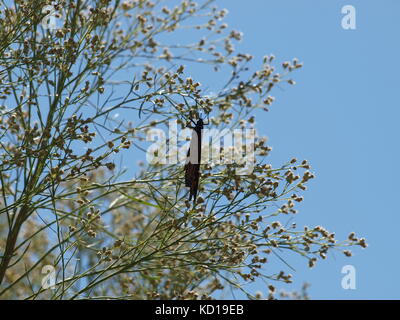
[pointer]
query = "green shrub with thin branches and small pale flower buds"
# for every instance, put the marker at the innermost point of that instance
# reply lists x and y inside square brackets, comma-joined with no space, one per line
[72,208]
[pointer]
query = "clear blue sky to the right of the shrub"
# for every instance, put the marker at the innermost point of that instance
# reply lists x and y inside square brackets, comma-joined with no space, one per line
[343,116]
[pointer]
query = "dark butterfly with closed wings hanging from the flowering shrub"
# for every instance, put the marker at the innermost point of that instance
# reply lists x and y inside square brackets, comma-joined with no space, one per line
[192,166]
